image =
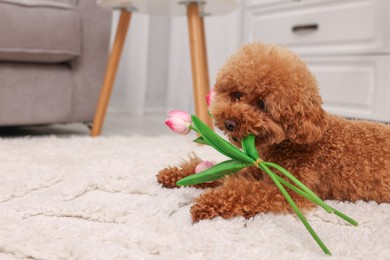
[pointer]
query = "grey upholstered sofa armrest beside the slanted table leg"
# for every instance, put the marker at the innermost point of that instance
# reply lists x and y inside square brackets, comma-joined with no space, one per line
[88,69]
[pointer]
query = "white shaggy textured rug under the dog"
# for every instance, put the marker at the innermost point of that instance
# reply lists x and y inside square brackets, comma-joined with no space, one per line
[97,198]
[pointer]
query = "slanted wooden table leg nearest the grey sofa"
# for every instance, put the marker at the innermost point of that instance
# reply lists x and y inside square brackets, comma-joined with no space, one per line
[111,70]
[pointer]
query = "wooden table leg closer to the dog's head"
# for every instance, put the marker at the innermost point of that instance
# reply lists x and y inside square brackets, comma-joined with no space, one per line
[200,75]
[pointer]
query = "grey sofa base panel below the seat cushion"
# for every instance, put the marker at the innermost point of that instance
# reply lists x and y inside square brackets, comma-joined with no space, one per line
[35,93]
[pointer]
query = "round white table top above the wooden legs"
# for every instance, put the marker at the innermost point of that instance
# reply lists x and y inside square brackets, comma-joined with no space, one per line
[171,7]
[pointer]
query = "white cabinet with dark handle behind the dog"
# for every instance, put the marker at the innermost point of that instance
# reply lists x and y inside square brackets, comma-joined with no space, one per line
[344,42]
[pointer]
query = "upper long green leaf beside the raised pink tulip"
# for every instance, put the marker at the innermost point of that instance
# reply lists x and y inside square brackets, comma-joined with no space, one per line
[220,144]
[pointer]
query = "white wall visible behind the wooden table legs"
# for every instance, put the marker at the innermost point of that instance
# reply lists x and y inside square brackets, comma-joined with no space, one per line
[155,70]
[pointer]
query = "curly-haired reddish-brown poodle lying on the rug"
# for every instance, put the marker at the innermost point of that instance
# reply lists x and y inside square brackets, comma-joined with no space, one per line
[268,91]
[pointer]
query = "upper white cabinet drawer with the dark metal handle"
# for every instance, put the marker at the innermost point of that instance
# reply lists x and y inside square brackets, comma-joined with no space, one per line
[323,27]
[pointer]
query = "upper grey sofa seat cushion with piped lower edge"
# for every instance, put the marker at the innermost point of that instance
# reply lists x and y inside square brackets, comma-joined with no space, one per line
[39,30]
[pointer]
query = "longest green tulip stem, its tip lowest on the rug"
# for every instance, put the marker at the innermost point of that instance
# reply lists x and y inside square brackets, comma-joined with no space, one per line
[295,208]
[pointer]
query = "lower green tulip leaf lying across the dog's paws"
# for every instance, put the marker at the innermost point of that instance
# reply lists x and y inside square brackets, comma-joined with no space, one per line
[214,173]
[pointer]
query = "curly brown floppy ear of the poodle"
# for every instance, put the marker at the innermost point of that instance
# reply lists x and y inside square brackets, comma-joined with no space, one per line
[300,114]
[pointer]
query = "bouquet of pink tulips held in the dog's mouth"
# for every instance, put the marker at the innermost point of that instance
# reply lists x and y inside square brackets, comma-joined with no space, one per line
[182,123]
